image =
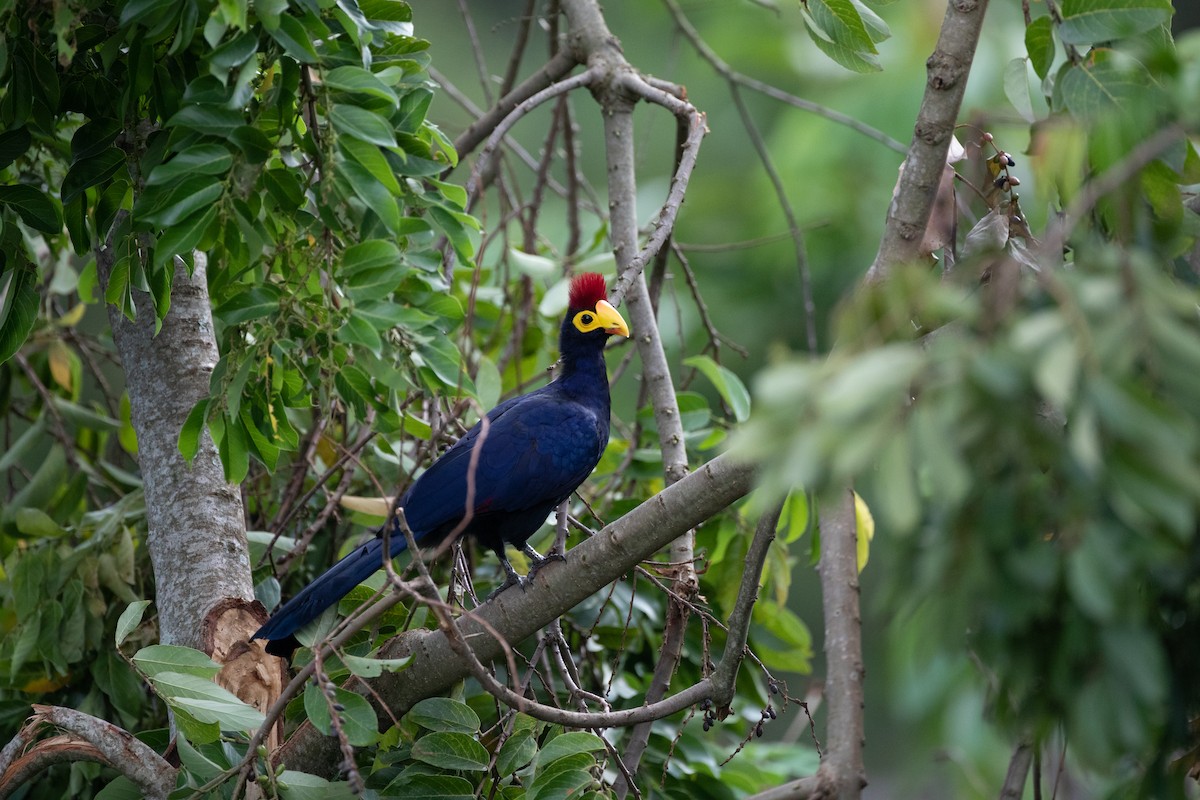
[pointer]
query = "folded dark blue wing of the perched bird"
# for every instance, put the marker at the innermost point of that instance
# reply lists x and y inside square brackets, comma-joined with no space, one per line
[539,448]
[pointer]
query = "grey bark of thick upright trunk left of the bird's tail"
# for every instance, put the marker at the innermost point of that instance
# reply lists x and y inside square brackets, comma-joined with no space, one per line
[197,534]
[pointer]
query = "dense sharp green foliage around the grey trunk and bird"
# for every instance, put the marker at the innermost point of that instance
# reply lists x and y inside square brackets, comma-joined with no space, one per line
[358,335]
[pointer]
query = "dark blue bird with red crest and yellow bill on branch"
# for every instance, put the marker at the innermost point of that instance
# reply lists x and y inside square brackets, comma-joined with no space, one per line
[537,450]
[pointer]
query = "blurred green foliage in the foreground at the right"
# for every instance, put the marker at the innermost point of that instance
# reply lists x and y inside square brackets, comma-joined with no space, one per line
[1025,423]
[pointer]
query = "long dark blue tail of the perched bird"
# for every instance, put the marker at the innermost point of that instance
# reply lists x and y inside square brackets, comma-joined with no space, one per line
[326,591]
